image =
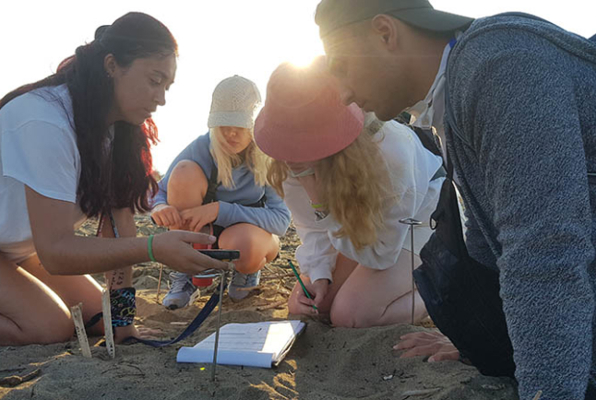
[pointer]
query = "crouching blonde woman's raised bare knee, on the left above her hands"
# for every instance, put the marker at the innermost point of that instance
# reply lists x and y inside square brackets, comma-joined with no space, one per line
[187,187]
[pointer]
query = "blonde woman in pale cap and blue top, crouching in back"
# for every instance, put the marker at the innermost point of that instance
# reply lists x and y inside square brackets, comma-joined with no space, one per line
[219,181]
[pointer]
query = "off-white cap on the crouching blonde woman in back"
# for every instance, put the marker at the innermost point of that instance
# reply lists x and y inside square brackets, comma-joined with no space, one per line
[235,100]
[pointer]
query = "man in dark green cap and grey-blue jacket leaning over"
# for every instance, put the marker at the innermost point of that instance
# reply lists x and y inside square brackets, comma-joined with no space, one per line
[521,133]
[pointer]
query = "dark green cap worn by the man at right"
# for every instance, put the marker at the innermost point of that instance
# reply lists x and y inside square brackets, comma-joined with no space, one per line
[334,14]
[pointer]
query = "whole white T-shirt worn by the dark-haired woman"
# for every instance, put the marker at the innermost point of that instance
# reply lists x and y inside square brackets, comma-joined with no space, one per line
[38,148]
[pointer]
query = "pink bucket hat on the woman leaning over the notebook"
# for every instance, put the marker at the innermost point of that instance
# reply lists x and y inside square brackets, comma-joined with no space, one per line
[303,118]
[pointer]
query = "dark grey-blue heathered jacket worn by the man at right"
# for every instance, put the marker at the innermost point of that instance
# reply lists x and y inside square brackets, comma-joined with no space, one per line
[523,96]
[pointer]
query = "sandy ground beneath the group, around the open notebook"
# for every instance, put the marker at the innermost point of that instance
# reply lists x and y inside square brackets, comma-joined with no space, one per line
[325,362]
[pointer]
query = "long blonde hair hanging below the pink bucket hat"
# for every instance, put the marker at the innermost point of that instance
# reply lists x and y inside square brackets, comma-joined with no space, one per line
[355,186]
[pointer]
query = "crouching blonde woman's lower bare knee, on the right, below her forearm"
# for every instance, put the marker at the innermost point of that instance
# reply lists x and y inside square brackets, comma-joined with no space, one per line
[257,246]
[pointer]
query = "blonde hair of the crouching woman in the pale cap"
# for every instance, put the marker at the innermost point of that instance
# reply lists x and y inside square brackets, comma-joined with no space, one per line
[256,161]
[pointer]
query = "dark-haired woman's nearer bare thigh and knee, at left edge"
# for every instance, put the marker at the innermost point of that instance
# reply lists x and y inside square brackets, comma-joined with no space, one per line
[30,313]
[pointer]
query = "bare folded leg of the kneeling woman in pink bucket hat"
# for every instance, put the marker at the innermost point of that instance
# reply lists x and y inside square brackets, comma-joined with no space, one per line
[372,297]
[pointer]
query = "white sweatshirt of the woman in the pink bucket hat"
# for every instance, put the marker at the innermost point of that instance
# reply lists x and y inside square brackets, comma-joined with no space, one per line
[411,168]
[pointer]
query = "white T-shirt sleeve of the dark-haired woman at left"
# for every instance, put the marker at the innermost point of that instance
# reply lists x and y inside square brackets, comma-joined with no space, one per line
[44,157]
